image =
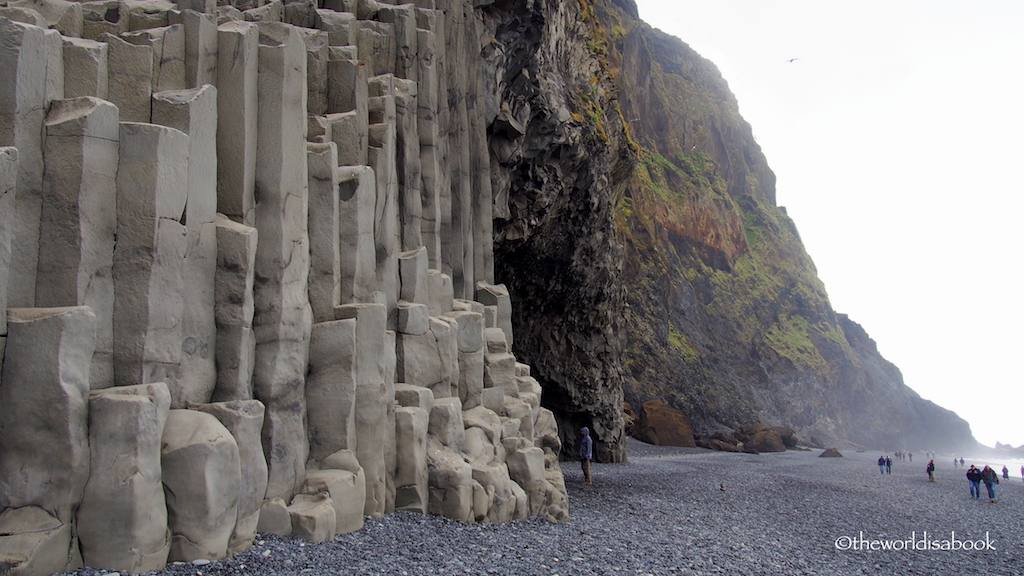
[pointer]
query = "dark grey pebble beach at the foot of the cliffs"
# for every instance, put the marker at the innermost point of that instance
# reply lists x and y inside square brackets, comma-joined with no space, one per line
[685,511]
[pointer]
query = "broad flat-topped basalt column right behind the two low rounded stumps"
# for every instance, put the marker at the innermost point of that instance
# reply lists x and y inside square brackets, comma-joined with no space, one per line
[149,258]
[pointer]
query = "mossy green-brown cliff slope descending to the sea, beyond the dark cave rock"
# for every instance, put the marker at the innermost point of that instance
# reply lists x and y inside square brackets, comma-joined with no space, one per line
[726,319]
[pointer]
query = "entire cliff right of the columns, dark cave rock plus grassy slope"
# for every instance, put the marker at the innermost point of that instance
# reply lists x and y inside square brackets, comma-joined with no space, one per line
[655,257]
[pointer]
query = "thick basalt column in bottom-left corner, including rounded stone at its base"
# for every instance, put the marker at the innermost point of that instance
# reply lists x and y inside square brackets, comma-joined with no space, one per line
[45,469]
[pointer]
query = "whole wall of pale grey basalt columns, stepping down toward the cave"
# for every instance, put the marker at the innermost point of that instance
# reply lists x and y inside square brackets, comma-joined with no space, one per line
[246,259]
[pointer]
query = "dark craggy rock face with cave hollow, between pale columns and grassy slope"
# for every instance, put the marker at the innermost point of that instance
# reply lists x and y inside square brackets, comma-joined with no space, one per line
[561,160]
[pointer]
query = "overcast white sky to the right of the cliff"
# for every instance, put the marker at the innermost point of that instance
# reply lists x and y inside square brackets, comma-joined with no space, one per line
[898,138]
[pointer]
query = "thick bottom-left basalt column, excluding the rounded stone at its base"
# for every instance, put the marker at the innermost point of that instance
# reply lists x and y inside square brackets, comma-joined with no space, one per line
[47,381]
